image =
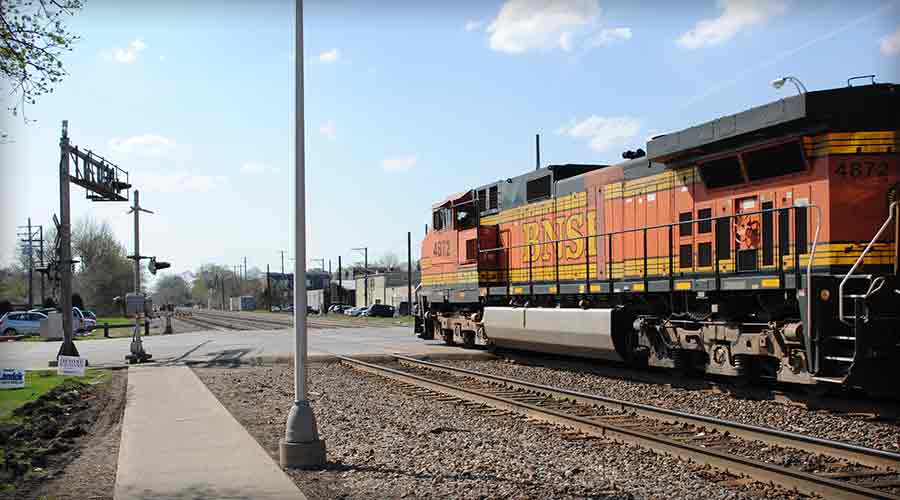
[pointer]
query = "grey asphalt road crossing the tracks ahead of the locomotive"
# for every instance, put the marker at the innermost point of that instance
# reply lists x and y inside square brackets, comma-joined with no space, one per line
[227,346]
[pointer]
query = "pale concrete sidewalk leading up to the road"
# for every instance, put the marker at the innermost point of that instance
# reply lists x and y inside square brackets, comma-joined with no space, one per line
[179,442]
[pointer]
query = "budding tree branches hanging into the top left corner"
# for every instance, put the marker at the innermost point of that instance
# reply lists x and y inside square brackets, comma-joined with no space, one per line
[32,40]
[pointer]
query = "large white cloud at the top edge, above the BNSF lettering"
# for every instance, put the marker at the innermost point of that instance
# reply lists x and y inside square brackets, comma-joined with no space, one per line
[523,25]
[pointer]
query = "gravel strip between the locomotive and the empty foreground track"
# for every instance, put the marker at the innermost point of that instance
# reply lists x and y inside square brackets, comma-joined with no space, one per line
[819,423]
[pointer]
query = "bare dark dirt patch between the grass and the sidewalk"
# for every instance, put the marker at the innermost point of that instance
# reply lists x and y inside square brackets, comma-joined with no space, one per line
[67,444]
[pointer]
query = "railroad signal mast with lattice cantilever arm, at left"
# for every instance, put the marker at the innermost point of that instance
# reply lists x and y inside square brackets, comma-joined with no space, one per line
[102,181]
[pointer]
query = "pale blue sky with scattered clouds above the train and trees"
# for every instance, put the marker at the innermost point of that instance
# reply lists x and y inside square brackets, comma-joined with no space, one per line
[406,103]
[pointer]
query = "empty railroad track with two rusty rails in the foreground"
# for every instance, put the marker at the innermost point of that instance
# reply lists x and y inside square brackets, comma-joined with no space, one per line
[827,468]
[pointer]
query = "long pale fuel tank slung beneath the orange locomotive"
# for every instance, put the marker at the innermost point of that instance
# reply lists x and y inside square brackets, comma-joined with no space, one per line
[576,332]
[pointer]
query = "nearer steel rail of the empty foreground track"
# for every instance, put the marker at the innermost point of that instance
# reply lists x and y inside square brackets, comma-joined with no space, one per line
[761,471]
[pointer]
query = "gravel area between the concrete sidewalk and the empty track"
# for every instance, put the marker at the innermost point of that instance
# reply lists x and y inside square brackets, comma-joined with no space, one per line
[383,442]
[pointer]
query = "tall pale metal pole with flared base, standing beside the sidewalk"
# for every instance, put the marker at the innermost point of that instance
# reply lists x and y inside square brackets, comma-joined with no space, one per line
[301,446]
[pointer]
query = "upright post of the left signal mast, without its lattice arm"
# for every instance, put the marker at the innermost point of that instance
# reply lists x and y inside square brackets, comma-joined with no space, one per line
[65,246]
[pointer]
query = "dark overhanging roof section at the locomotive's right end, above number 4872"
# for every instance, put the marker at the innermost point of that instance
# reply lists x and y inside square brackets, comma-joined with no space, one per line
[866,107]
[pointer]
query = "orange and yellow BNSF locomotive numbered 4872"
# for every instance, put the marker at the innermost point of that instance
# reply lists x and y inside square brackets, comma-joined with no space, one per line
[761,244]
